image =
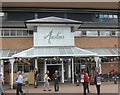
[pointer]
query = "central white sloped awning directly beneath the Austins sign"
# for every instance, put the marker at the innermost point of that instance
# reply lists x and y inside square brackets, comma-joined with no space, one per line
[54,51]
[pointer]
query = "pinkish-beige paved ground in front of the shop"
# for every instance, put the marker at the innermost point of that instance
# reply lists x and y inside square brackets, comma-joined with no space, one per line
[70,88]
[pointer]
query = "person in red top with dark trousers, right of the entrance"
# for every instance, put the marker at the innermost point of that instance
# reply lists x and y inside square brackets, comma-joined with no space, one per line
[85,81]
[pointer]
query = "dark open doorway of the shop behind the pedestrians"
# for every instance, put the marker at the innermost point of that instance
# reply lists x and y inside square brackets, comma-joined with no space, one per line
[52,68]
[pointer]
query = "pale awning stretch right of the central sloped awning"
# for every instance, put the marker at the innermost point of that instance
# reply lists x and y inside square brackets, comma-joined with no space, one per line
[105,51]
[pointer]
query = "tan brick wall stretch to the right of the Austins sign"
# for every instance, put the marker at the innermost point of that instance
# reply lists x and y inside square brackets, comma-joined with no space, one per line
[90,42]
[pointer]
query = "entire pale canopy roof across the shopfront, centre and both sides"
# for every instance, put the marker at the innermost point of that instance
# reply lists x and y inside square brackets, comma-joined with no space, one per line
[62,51]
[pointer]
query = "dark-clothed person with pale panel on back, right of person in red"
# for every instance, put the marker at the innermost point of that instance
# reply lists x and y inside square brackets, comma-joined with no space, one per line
[98,82]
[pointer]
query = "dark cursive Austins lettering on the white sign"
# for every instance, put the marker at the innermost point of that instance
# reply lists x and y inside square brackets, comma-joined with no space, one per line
[51,36]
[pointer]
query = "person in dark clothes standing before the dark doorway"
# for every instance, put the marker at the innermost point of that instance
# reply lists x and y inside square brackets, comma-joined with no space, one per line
[56,78]
